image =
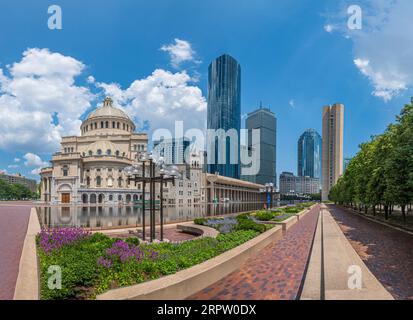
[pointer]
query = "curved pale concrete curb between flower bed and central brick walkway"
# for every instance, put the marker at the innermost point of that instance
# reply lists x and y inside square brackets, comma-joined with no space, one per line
[189,281]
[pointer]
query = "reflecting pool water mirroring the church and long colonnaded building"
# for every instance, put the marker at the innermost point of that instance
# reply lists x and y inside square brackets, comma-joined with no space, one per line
[95,217]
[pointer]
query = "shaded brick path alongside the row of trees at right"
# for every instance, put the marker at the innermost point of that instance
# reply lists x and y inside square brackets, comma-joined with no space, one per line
[388,253]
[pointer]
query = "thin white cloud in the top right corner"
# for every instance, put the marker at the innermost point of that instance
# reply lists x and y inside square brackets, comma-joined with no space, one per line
[382,48]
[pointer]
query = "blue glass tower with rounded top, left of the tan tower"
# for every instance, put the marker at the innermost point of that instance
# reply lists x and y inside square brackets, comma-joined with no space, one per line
[309,154]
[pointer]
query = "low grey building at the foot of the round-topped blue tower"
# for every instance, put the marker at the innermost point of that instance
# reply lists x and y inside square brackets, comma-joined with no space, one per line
[293,185]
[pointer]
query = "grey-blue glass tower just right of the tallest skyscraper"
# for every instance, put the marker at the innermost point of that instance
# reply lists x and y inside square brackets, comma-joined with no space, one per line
[264,120]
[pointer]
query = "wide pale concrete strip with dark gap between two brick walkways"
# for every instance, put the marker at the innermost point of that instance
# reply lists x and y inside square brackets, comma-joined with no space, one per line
[329,272]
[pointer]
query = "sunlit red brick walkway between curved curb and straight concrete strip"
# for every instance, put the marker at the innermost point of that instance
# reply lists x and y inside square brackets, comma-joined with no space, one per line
[275,274]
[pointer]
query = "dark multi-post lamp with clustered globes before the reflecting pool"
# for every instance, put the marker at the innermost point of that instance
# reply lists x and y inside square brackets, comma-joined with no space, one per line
[167,173]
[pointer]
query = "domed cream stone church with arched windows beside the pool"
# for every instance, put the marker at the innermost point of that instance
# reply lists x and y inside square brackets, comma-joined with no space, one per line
[88,169]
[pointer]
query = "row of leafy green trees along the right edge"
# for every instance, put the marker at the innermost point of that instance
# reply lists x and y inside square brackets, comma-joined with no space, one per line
[380,176]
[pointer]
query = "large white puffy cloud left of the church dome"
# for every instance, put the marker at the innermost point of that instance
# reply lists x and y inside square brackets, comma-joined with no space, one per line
[39,101]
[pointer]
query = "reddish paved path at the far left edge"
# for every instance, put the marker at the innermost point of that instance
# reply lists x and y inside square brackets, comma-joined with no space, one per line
[13,226]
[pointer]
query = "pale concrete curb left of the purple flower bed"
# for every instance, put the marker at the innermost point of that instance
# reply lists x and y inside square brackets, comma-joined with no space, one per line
[27,284]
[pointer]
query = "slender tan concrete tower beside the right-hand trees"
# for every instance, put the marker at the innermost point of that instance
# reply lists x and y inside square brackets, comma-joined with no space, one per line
[332,161]
